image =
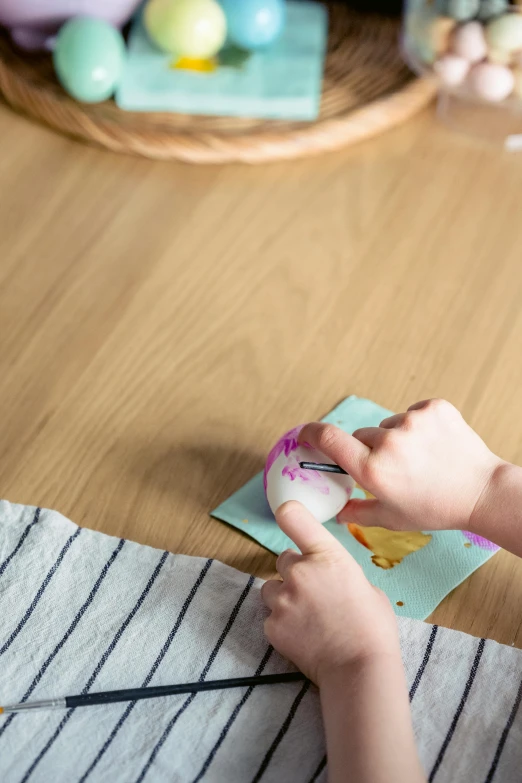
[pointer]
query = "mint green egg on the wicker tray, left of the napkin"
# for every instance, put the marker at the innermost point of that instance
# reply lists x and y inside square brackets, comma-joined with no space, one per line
[88,59]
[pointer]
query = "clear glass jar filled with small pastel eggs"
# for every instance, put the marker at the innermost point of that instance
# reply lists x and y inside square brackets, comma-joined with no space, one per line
[473,48]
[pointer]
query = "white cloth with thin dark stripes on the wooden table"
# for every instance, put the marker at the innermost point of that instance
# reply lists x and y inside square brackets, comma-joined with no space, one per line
[82,612]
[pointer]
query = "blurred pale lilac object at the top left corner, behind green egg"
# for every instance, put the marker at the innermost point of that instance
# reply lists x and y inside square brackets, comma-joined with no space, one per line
[33,23]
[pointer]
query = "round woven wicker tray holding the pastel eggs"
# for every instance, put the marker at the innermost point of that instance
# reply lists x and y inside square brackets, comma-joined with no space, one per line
[367,89]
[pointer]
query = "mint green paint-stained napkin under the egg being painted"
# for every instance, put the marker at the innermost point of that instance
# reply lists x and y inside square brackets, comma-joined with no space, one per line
[419,582]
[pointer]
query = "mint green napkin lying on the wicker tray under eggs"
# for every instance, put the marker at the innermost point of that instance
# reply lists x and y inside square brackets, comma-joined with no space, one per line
[283,81]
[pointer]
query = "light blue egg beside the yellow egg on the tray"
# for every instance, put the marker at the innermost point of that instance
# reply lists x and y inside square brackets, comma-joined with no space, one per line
[253,24]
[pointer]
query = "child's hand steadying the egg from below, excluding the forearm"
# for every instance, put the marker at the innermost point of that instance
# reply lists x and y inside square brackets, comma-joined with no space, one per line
[325,615]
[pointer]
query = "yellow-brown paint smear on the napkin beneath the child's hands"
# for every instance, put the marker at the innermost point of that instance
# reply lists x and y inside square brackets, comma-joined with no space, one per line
[389,547]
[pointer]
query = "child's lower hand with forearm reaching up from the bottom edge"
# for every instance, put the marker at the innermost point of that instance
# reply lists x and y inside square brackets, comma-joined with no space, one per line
[341,632]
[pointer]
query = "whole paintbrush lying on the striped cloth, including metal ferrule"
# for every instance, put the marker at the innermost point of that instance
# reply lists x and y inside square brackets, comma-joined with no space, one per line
[136,694]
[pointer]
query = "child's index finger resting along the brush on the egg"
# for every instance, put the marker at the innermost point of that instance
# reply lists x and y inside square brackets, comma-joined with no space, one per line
[345,450]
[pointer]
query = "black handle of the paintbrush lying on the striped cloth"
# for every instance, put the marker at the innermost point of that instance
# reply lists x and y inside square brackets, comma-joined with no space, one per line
[135,694]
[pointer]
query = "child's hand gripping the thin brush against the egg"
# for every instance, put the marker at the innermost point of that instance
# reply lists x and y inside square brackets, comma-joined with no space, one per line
[427,468]
